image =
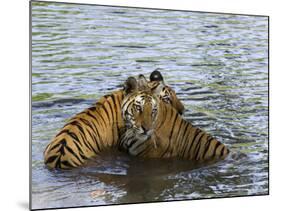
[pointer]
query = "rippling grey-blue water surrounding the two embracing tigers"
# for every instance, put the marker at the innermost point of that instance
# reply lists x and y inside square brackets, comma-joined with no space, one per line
[218,65]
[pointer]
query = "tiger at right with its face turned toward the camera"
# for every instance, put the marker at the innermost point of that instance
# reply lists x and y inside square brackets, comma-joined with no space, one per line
[154,129]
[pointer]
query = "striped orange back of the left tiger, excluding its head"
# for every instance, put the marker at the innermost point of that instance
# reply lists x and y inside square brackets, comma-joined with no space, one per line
[87,134]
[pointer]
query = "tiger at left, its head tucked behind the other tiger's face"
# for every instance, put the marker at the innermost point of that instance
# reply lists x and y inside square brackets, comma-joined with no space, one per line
[99,127]
